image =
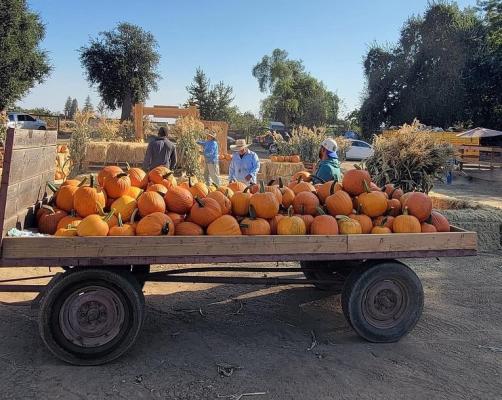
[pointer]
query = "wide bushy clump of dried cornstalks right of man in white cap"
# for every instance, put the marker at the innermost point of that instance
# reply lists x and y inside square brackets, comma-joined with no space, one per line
[409,158]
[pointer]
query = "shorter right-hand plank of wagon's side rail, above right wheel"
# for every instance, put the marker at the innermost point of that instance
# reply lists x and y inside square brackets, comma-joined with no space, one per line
[411,242]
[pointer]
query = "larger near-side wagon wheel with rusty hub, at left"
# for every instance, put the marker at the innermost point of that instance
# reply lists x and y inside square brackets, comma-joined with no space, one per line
[91,316]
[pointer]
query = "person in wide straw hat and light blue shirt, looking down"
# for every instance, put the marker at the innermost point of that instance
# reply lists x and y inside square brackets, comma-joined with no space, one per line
[244,165]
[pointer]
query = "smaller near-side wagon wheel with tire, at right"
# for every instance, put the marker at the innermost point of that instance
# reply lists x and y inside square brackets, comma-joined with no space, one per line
[383,301]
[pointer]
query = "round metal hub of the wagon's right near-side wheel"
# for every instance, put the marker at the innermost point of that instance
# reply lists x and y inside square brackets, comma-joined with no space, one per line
[384,303]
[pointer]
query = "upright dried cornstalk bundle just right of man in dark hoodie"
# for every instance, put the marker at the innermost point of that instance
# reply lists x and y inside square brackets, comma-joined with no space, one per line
[187,131]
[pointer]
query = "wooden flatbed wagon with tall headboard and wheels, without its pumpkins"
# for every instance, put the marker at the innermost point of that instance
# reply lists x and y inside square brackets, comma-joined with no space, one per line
[93,311]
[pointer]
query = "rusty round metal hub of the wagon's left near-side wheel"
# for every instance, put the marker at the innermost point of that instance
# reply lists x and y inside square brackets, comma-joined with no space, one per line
[91,316]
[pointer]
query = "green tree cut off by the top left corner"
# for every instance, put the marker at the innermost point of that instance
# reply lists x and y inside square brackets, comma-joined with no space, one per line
[22,62]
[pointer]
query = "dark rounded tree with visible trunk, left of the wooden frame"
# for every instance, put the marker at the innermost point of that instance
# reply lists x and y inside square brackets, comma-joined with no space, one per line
[122,63]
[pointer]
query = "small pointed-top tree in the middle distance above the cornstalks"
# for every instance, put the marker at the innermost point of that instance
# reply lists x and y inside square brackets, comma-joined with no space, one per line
[212,101]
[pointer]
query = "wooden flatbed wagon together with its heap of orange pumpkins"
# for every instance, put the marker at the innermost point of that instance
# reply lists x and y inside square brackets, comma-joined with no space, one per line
[382,299]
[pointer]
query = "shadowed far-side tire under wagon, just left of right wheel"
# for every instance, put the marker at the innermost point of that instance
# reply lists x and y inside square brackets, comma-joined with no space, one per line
[327,270]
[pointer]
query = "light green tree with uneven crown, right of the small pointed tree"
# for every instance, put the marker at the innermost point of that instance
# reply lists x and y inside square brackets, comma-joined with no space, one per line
[295,97]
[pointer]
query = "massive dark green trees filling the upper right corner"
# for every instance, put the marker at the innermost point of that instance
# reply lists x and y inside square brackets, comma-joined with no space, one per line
[442,71]
